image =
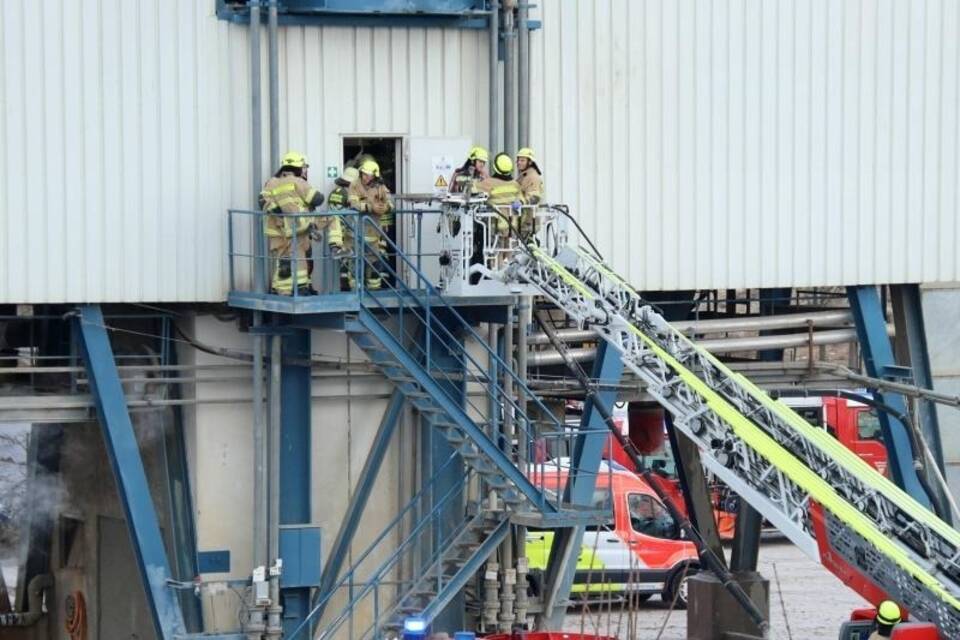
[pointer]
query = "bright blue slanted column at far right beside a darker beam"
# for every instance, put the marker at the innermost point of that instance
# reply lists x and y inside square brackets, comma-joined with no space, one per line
[878,357]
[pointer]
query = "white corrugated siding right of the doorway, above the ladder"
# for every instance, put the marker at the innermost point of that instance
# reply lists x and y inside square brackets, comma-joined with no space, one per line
[755,143]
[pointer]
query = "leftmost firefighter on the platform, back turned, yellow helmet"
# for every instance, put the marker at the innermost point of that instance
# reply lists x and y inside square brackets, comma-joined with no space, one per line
[289,236]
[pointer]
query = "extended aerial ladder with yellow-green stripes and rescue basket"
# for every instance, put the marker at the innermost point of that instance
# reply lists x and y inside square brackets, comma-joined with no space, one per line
[824,498]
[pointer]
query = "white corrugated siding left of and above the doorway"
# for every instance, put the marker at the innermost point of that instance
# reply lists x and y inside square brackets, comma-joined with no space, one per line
[124,133]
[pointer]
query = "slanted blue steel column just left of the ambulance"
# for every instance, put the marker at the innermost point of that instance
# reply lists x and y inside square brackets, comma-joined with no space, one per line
[588,451]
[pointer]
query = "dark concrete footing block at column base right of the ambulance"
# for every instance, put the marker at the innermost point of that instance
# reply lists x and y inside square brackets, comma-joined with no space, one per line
[713,614]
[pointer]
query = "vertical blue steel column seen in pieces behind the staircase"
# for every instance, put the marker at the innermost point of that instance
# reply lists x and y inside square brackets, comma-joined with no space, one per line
[435,450]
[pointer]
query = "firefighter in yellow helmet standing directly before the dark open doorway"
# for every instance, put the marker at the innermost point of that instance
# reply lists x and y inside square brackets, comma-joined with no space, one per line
[369,195]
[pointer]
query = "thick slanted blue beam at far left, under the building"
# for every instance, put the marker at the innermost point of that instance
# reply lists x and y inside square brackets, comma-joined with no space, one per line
[128,470]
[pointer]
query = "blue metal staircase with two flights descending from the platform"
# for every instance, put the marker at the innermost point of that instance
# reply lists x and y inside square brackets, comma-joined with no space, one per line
[433,356]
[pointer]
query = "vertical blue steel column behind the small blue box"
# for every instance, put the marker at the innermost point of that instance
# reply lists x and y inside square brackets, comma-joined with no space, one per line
[295,457]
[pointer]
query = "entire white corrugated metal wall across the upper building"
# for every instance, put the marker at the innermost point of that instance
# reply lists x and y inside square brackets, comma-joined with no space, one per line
[776,142]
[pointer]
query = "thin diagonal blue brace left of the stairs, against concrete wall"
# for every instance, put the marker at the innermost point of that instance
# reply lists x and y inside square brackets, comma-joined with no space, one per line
[348,527]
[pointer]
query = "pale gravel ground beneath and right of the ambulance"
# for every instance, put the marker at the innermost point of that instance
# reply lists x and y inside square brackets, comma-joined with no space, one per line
[815,603]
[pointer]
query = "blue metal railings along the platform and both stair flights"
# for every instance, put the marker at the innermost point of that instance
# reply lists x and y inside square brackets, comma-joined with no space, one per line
[408,308]
